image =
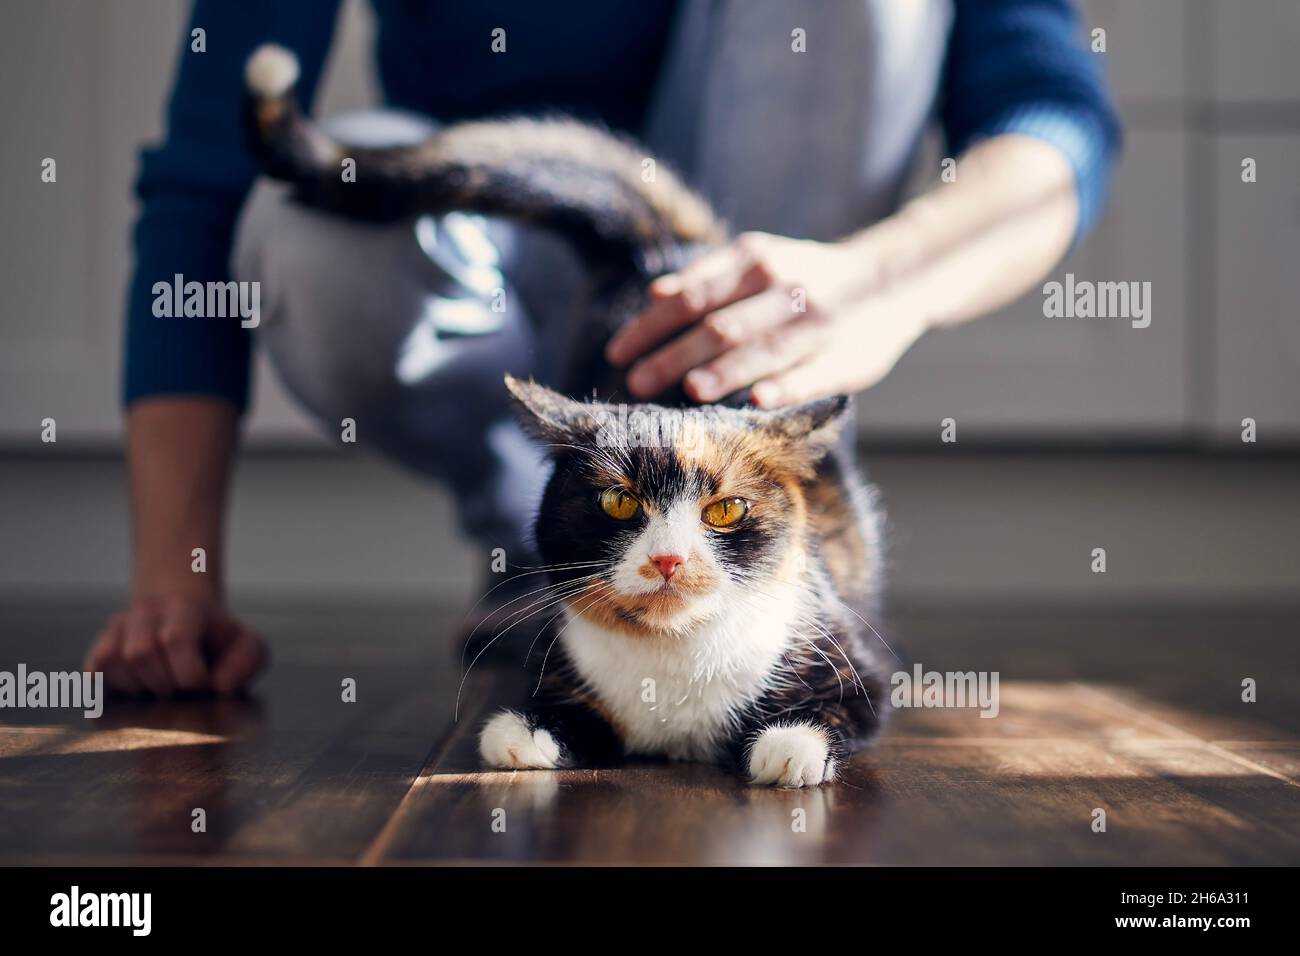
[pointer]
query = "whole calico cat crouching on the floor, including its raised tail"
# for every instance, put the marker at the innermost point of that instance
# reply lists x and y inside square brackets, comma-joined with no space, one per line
[716,568]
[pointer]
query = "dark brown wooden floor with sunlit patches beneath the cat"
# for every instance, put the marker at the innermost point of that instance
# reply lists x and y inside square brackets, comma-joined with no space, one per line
[1138,715]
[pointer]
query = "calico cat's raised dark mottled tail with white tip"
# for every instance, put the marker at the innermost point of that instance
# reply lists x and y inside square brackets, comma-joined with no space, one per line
[601,192]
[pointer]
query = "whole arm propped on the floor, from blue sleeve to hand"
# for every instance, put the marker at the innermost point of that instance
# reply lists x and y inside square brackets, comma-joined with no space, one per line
[187,379]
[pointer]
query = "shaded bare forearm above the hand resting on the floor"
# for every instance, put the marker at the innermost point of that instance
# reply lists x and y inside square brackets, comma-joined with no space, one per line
[180,453]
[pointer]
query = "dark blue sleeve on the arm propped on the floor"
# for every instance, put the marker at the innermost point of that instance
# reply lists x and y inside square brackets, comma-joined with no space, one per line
[192,189]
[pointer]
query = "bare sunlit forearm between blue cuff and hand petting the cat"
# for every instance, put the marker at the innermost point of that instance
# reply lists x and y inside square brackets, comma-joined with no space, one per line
[968,248]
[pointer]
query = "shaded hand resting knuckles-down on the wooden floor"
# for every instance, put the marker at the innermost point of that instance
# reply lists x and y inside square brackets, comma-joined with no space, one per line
[163,646]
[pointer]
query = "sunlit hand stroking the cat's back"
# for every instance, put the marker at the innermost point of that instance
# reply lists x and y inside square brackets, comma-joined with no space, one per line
[794,318]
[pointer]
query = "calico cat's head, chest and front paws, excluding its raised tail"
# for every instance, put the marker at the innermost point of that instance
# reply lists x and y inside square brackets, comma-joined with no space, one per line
[709,563]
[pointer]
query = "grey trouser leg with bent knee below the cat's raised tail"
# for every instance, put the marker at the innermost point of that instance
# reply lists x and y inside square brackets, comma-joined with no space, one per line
[409,328]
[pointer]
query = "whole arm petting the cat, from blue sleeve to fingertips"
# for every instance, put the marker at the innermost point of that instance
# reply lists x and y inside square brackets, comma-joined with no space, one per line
[1028,114]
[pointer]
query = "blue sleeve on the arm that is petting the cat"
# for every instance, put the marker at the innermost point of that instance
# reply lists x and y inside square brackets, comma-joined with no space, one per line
[1024,67]
